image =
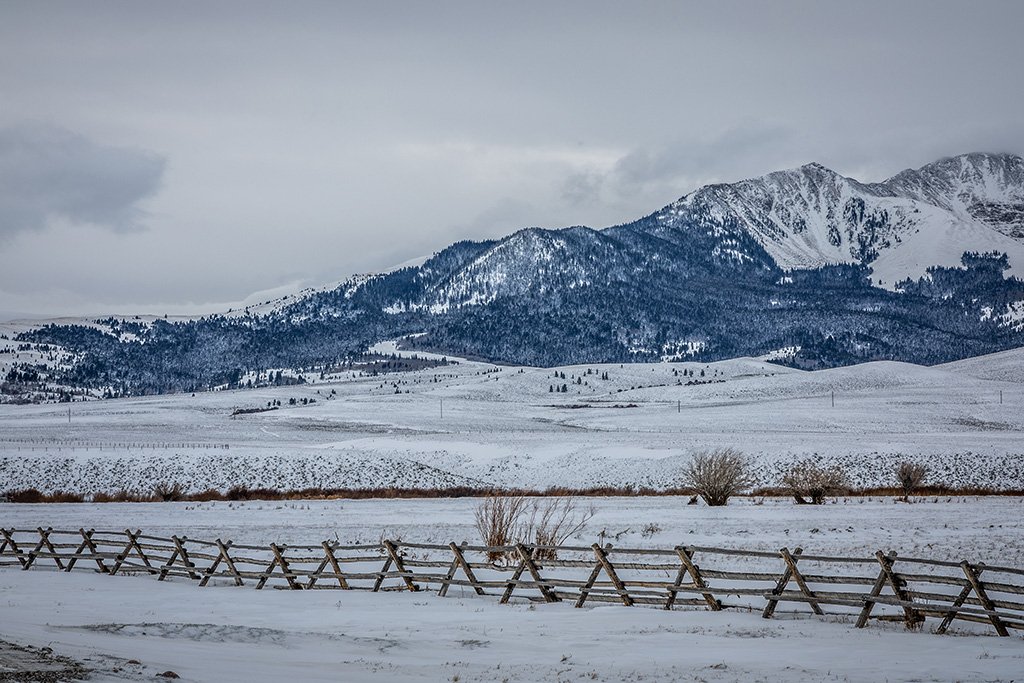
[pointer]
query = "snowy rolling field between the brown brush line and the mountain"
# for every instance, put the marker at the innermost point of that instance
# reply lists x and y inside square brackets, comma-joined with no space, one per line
[480,424]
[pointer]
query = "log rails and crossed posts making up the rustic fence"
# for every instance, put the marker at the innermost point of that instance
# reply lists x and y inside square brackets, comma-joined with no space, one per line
[206,561]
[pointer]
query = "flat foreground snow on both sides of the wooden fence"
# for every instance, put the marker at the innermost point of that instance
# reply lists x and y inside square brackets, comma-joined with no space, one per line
[224,633]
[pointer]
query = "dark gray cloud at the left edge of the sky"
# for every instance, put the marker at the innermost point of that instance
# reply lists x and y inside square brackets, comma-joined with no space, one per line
[50,174]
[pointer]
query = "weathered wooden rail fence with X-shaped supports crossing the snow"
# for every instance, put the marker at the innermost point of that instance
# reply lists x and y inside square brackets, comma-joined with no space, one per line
[884,587]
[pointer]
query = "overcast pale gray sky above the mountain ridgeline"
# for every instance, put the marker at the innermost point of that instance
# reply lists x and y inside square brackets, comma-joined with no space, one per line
[173,158]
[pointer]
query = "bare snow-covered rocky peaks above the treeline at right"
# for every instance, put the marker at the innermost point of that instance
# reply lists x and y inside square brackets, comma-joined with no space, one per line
[810,217]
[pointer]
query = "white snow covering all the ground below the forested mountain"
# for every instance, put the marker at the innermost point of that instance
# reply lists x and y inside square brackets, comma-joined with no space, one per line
[501,425]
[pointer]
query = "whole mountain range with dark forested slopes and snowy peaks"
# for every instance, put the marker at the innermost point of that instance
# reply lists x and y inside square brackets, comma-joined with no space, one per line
[831,270]
